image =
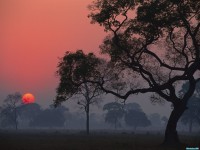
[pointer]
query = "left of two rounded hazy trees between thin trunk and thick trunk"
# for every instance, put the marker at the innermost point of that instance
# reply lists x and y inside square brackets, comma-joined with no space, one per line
[115,112]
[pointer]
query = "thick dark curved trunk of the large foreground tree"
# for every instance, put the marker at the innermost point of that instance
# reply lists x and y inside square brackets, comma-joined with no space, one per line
[171,136]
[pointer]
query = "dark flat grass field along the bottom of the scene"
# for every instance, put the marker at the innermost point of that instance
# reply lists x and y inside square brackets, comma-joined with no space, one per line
[60,140]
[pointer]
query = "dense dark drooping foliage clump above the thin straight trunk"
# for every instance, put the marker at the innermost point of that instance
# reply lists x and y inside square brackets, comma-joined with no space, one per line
[74,69]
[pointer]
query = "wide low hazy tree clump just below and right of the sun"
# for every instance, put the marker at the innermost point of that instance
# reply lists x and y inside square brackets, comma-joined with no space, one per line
[50,117]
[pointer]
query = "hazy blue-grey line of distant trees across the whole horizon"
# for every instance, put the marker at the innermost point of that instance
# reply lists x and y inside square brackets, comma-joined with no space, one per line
[15,114]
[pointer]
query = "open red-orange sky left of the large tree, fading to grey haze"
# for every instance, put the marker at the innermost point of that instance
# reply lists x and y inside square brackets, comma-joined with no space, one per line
[33,34]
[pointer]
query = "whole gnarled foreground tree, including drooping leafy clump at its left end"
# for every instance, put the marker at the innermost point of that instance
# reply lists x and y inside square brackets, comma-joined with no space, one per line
[154,47]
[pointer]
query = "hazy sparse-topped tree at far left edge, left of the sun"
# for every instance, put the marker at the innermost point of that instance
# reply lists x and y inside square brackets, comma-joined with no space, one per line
[9,111]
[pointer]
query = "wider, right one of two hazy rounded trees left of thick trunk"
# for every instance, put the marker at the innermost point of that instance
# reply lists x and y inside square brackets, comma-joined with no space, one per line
[134,118]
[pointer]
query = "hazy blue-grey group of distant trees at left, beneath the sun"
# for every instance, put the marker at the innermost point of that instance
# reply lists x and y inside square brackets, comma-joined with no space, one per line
[14,114]
